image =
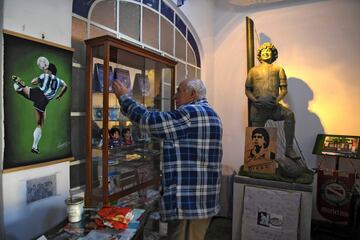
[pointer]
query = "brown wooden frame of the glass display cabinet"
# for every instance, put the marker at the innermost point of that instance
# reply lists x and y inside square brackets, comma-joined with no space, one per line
[108,43]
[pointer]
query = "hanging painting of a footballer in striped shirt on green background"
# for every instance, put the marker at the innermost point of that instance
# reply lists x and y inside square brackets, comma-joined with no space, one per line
[37,100]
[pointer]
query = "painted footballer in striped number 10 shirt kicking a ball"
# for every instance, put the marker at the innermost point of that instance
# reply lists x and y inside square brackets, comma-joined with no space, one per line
[48,85]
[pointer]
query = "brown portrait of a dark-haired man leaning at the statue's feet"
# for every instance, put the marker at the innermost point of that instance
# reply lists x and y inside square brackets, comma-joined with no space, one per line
[260,149]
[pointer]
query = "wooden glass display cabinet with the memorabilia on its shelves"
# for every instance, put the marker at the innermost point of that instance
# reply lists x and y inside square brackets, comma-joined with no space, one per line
[121,158]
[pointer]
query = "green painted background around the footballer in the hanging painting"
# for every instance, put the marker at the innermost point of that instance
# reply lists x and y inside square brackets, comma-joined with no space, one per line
[20,57]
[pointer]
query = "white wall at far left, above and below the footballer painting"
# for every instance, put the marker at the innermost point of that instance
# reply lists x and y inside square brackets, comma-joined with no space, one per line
[18,220]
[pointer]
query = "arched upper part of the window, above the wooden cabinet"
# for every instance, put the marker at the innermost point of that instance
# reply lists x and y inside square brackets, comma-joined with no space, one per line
[157,25]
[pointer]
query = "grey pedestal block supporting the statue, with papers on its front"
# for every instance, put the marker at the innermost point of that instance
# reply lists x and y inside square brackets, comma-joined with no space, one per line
[264,209]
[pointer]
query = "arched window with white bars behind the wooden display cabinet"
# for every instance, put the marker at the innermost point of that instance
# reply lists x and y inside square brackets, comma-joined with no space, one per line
[157,25]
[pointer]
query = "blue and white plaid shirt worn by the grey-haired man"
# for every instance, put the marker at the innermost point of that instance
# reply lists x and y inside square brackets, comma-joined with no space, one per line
[192,155]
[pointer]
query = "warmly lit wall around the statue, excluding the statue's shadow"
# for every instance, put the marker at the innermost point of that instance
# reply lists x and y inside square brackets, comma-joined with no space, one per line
[318,44]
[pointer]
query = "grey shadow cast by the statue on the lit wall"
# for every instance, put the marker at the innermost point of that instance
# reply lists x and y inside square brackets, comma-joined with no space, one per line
[308,124]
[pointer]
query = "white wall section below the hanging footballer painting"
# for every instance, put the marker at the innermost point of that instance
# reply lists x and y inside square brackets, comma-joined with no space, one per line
[26,221]
